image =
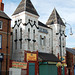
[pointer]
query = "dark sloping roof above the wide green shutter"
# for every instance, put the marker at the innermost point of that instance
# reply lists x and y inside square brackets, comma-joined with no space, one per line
[48,57]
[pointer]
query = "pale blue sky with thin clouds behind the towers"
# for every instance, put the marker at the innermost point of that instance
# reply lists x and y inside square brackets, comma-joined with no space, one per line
[65,8]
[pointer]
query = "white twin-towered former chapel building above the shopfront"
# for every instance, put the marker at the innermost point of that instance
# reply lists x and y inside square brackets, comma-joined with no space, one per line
[30,34]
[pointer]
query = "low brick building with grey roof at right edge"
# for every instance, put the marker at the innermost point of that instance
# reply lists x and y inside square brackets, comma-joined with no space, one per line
[70,60]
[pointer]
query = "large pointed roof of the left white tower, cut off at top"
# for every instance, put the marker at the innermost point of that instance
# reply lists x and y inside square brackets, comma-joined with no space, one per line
[25,6]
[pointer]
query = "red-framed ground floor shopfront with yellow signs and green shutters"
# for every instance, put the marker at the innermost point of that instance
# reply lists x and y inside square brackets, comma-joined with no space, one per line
[36,63]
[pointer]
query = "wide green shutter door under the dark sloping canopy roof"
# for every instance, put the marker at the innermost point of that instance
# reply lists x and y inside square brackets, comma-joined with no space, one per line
[47,69]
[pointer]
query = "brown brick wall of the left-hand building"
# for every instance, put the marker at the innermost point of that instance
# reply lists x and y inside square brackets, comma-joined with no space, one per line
[3,32]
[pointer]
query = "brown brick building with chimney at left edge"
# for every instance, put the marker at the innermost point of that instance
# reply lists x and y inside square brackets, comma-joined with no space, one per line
[5,25]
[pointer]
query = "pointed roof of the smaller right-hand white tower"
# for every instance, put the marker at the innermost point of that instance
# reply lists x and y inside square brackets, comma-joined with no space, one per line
[55,18]
